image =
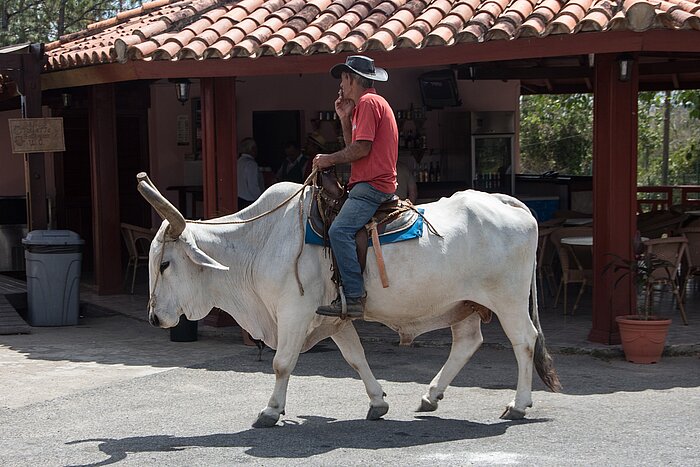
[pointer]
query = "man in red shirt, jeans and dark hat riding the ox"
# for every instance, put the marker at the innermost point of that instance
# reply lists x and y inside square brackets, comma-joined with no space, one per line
[372,142]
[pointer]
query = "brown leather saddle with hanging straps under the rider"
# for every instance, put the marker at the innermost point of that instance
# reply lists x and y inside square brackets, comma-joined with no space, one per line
[329,195]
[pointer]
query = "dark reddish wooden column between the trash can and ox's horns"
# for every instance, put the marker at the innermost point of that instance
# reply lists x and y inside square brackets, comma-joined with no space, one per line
[105,189]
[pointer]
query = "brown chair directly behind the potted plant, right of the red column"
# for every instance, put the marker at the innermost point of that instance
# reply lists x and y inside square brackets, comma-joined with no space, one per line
[672,250]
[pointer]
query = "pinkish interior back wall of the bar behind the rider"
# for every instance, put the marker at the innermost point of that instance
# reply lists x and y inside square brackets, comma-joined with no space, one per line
[308,93]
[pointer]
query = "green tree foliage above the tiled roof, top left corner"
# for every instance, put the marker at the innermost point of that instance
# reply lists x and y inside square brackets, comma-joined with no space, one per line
[46,20]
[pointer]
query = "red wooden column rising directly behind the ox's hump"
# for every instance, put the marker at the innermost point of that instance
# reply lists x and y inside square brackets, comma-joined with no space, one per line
[219,146]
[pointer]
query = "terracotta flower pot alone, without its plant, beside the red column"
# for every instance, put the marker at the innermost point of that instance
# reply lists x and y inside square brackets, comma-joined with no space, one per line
[643,340]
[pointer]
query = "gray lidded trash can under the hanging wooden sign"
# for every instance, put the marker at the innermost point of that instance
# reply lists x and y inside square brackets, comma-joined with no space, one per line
[53,259]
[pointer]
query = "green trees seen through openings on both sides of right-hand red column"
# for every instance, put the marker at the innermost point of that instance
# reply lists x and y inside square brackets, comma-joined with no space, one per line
[557,134]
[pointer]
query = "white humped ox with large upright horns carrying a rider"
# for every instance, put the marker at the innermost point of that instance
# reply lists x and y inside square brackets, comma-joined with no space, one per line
[486,255]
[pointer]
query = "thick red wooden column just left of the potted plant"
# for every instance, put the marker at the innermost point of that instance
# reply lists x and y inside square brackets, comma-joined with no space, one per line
[614,192]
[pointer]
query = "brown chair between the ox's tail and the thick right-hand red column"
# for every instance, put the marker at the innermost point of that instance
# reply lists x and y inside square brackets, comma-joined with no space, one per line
[576,268]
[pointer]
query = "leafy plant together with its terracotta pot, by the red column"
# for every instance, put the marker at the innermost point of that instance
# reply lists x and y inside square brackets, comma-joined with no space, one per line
[643,334]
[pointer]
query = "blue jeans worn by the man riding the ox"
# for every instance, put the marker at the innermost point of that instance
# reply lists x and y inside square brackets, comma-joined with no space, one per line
[362,203]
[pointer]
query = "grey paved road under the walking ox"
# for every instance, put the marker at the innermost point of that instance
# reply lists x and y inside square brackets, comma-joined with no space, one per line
[114,390]
